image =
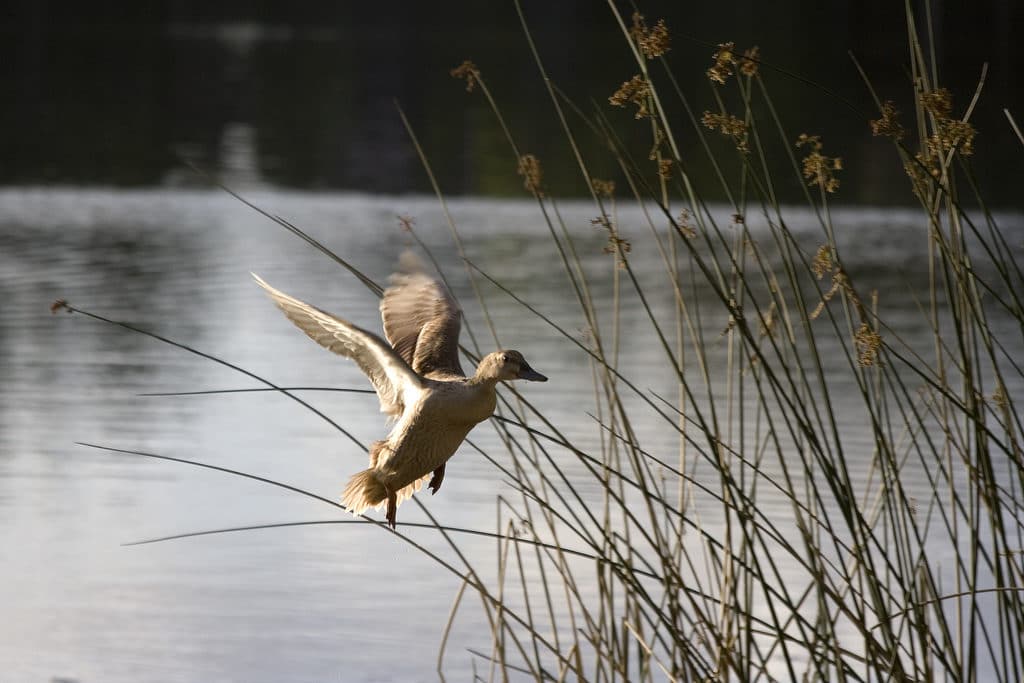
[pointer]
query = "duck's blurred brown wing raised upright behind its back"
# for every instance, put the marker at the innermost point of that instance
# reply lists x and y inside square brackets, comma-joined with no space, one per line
[422,321]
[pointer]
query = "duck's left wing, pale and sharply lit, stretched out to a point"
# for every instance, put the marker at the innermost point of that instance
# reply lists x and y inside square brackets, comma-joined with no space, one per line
[391,375]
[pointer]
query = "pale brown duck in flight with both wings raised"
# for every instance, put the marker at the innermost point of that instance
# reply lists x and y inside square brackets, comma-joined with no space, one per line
[419,382]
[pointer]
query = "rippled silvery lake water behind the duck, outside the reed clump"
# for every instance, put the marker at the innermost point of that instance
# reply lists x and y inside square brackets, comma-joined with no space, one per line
[306,604]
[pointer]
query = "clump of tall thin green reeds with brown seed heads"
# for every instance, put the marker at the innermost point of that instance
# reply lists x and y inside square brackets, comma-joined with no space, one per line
[911,571]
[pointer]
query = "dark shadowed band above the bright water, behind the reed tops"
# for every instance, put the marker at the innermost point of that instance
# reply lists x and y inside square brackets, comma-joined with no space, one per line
[304,96]
